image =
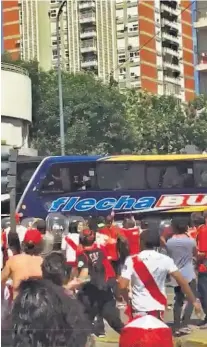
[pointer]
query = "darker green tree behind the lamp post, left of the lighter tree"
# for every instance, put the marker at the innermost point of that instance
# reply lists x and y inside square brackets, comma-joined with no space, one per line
[94,115]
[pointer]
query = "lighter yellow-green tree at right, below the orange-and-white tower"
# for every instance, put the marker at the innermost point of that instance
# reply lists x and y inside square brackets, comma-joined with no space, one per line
[161,124]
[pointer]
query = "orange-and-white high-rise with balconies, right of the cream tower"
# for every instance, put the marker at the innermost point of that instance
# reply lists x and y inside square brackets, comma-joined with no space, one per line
[155,46]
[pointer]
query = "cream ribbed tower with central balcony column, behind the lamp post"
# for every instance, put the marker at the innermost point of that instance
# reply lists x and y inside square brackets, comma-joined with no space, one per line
[87,36]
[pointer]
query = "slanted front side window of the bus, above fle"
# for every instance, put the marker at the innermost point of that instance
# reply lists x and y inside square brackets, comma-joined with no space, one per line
[69,177]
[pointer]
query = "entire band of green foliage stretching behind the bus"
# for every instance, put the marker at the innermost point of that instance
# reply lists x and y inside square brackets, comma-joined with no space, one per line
[99,119]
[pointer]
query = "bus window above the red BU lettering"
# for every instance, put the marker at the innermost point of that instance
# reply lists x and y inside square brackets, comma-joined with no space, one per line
[170,175]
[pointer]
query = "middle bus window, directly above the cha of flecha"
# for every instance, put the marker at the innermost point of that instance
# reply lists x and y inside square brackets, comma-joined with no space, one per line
[116,176]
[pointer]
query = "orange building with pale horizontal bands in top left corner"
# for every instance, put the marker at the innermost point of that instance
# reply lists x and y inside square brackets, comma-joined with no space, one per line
[11,28]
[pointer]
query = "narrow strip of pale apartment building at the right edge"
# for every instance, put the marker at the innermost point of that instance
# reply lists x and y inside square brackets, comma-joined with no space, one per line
[201,35]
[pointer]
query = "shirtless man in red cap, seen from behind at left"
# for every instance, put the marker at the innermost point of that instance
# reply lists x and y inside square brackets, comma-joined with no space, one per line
[25,265]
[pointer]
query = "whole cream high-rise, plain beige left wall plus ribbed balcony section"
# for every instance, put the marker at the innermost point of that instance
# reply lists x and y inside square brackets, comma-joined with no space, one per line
[86,34]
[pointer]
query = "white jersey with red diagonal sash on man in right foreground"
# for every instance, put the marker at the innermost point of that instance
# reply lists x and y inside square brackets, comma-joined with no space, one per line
[159,265]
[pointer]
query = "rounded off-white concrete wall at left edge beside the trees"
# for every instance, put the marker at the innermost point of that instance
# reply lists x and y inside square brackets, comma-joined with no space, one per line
[16,105]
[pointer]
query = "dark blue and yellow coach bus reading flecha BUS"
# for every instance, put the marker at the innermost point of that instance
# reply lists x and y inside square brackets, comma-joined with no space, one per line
[135,184]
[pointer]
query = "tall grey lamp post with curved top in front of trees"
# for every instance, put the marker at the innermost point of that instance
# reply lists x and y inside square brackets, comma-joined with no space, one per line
[61,115]
